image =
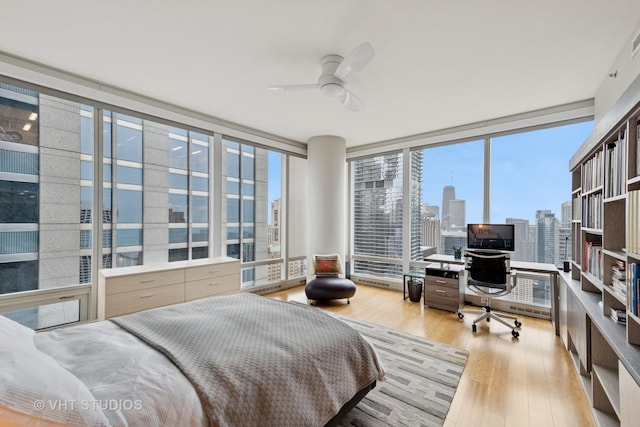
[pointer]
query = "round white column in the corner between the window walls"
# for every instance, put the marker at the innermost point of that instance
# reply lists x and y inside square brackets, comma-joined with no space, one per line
[326,196]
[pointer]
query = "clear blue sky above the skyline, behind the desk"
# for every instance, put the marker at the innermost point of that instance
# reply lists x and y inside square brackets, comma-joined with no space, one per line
[529,172]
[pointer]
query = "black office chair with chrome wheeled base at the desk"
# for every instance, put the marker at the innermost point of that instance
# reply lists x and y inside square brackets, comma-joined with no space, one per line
[489,275]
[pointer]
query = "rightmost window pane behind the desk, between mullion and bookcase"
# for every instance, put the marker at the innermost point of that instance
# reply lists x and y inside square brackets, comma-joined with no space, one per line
[529,187]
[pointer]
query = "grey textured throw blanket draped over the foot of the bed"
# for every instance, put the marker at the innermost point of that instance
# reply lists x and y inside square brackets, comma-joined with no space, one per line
[257,361]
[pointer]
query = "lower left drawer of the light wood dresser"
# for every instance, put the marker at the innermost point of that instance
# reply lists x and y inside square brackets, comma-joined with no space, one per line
[142,299]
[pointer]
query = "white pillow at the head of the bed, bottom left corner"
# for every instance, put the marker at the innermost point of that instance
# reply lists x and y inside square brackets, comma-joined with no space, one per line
[34,388]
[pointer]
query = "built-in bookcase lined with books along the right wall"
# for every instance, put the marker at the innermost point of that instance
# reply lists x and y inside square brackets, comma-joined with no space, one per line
[604,172]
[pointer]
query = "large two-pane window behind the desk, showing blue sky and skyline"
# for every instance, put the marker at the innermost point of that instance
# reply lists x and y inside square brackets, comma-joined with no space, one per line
[528,183]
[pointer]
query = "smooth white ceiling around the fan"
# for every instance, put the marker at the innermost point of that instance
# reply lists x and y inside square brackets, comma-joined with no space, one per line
[437,64]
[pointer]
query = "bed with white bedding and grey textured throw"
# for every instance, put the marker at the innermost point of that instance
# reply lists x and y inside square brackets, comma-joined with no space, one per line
[227,361]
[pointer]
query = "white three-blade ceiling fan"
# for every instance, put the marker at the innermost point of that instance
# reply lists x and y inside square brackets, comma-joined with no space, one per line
[336,71]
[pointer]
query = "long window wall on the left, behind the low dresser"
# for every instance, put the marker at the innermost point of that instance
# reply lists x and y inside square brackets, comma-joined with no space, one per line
[60,160]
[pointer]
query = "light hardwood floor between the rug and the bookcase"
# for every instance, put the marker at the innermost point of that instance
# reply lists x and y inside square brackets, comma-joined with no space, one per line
[506,382]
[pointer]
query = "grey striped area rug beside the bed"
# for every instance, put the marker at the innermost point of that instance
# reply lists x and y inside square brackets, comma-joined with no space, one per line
[421,379]
